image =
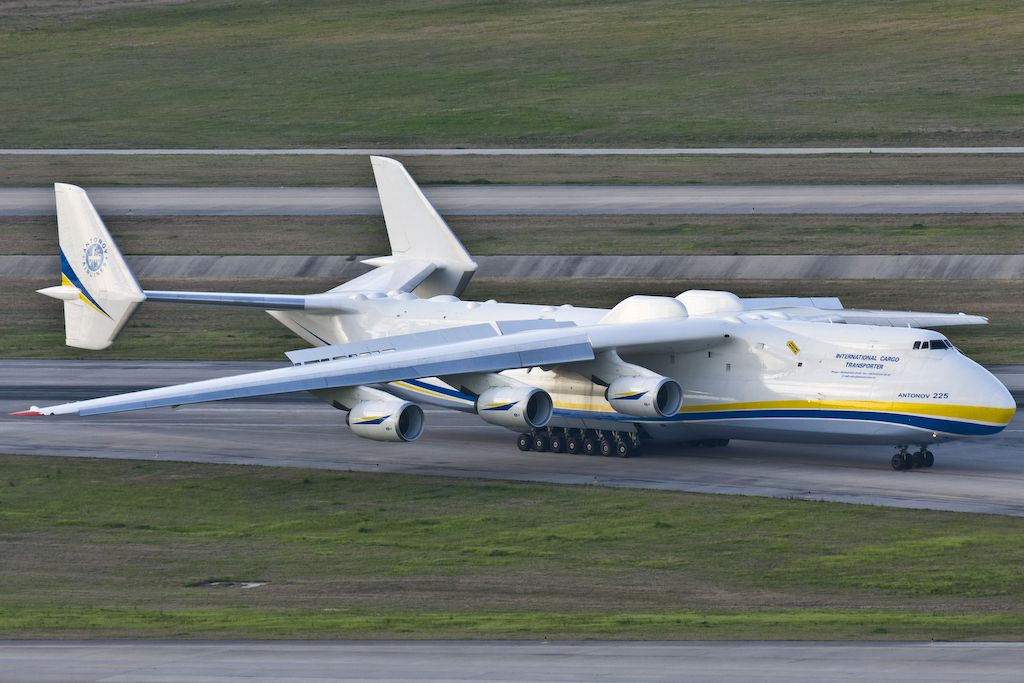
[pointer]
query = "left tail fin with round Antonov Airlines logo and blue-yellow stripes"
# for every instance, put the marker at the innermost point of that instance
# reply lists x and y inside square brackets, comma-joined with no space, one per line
[99,290]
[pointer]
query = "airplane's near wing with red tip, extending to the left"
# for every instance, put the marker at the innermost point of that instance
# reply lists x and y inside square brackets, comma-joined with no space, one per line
[471,350]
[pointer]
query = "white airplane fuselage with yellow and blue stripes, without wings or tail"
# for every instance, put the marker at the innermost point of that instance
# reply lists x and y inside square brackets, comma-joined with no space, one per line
[773,379]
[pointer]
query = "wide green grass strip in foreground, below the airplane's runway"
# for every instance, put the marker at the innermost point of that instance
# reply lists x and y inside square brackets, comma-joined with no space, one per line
[100,548]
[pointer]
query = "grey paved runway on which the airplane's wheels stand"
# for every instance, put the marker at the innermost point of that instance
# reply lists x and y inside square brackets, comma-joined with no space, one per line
[980,476]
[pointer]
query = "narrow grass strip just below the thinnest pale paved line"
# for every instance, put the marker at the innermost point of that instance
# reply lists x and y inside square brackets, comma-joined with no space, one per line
[333,172]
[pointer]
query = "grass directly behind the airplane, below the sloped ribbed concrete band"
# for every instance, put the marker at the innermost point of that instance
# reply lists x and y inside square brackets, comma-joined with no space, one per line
[32,326]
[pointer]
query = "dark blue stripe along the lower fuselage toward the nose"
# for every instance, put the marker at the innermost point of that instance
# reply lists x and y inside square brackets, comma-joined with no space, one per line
[920,422]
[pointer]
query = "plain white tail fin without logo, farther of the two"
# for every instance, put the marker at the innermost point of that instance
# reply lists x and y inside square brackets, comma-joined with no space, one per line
[417,231]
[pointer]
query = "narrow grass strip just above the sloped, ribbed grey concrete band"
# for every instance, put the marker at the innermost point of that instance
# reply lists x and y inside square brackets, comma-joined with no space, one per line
[921,234]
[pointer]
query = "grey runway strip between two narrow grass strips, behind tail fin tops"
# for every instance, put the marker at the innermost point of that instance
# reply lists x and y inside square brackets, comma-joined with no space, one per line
[538,200]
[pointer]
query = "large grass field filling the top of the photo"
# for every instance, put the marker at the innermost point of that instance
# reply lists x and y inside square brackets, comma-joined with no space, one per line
[219,73]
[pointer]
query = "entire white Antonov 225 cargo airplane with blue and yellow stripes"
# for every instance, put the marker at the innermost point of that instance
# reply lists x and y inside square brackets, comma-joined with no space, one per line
[705,367]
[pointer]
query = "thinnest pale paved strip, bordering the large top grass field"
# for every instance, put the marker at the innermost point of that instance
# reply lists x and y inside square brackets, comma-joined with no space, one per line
[509,152]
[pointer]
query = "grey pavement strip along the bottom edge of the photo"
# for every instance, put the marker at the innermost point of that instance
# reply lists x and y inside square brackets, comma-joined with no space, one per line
[462,661]
